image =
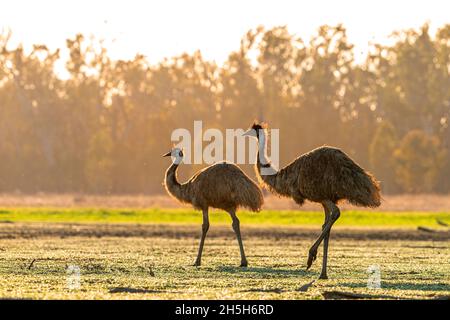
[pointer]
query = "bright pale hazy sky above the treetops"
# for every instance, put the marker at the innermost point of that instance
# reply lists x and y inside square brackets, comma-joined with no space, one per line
[166,28]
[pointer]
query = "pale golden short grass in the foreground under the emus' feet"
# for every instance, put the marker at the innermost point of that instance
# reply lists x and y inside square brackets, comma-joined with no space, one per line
[161,267]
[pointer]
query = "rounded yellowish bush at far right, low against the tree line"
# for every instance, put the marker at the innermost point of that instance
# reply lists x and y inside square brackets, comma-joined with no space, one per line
[419,160]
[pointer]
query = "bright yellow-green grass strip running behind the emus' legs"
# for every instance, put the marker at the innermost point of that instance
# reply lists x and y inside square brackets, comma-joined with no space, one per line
[266,217]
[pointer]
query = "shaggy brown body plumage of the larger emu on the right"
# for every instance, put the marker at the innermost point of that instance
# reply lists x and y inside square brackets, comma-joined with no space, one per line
[322,174]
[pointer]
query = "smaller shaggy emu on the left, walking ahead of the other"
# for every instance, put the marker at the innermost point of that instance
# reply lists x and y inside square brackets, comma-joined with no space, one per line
[222,186]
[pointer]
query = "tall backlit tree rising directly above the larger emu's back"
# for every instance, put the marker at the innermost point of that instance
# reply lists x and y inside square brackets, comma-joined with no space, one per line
[324,81]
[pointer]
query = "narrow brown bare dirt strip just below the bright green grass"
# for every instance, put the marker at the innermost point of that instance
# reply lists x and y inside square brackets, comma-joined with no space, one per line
[63,230]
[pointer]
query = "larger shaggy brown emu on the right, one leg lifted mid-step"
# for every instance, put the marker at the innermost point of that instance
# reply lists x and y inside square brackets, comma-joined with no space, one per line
[325,175]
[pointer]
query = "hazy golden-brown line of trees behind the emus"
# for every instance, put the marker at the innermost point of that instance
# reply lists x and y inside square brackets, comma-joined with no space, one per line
[102,128]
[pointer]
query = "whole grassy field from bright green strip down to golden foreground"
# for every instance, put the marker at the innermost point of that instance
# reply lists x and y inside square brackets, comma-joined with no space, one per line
[147,254]
